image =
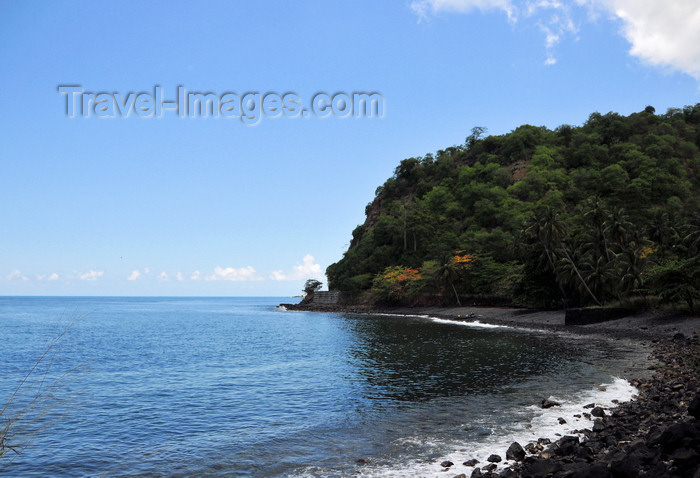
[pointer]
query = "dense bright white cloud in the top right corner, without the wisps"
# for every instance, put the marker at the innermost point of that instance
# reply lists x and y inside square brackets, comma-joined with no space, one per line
[663,34]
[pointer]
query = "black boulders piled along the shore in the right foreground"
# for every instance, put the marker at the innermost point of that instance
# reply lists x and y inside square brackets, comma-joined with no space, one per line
[657,435]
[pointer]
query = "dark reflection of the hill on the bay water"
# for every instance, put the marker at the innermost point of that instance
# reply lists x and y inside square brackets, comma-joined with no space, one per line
[413,359]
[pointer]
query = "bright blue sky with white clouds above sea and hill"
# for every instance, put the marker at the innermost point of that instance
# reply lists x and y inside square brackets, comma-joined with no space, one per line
[117,178]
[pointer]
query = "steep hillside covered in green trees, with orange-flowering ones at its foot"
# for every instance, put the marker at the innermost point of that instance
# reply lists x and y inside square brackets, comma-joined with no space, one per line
[607,212]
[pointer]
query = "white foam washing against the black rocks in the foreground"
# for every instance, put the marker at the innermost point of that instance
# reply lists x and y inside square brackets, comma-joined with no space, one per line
[536,423]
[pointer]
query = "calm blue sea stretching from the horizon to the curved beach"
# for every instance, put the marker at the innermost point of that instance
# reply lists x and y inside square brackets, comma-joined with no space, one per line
[228,387]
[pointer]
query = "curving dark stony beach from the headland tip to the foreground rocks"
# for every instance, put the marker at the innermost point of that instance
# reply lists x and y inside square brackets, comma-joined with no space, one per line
[656,435]
